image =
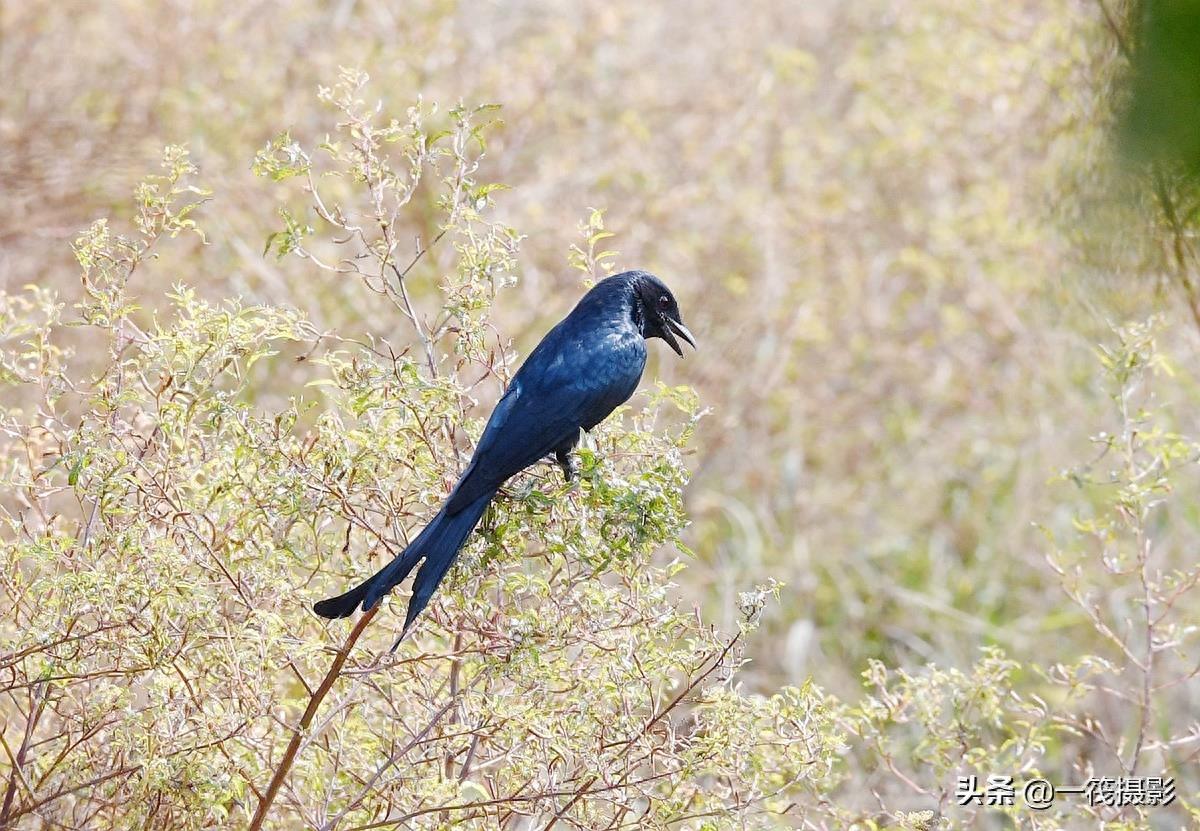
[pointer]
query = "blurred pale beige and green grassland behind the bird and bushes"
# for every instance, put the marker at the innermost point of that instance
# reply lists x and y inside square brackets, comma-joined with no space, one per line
[898,231]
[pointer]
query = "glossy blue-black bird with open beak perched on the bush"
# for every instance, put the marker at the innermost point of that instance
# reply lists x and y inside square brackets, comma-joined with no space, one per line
[584,369]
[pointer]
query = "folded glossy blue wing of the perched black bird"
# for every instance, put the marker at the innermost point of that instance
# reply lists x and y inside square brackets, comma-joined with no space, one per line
[568,384]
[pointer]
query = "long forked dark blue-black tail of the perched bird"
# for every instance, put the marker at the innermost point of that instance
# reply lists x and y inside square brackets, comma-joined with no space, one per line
[439,546]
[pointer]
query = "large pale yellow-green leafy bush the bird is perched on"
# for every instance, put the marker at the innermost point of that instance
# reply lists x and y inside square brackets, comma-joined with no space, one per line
[166,535]
